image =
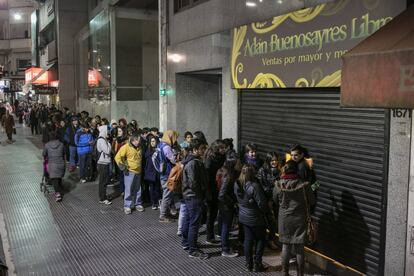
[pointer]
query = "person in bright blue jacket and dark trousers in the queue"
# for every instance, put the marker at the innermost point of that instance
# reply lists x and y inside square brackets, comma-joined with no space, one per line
[84,143]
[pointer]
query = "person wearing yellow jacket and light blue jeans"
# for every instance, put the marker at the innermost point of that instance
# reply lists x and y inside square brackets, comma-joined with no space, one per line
[129,160]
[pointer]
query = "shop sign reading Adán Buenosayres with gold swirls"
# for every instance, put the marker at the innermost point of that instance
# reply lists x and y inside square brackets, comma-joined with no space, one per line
[304,48]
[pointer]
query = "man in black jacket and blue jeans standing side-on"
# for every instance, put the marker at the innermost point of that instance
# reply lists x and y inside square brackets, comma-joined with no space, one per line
[195,192]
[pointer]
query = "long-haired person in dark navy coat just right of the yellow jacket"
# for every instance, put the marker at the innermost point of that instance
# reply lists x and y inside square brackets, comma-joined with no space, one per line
[151,176]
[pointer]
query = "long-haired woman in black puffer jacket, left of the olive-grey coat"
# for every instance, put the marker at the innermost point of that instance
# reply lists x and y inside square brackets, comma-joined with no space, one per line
[253,209]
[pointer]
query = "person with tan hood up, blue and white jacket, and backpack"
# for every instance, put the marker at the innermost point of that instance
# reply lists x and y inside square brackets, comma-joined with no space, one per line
[164,159]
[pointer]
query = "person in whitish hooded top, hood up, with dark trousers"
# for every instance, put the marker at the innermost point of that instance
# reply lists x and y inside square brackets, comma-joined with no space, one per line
[104,150]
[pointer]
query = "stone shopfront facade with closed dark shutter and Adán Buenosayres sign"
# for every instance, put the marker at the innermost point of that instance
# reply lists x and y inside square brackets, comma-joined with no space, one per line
[361,155]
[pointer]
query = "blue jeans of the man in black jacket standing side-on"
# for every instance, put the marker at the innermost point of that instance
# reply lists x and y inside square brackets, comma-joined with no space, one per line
[191,223]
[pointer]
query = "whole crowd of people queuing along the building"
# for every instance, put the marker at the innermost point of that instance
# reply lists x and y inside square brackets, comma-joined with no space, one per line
[211,183]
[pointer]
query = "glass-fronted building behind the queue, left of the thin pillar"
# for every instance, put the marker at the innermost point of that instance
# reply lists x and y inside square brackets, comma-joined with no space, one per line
[99,56]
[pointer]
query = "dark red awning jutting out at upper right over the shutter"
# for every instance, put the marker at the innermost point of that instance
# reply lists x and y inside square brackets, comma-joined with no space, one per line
[379,72]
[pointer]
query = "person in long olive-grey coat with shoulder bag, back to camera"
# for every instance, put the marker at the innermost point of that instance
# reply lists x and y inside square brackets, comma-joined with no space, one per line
[293,197]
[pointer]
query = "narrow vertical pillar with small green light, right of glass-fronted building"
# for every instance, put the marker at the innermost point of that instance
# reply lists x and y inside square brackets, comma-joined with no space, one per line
[163,32]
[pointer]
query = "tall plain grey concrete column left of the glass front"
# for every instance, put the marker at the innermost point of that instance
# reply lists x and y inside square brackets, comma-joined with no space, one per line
[71,17]
